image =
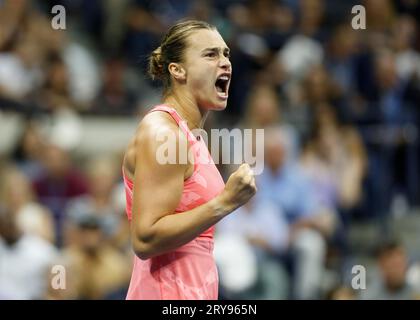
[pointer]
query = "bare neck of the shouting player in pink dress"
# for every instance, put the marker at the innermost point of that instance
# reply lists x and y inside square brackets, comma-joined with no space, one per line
[188,109]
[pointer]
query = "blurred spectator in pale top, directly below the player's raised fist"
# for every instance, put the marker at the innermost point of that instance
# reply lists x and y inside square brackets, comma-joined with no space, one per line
[261,225]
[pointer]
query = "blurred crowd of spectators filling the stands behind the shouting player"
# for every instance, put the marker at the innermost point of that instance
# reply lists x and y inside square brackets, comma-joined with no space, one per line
[340,109]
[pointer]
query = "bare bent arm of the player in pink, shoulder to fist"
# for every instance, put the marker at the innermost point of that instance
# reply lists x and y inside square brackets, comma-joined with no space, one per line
[157,191]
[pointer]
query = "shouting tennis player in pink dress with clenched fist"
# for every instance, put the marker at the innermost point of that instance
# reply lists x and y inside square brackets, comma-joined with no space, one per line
[173,207]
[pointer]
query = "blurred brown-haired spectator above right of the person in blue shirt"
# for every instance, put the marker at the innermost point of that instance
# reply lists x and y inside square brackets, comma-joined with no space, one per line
[335,159]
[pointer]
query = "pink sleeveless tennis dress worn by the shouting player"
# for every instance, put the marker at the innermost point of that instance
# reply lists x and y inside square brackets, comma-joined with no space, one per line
[188,272]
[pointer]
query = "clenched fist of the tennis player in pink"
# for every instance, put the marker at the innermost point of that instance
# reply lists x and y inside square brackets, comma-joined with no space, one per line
[240,186]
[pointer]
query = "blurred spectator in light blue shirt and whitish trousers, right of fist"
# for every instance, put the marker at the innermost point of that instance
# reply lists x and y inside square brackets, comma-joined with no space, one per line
[309,224]
